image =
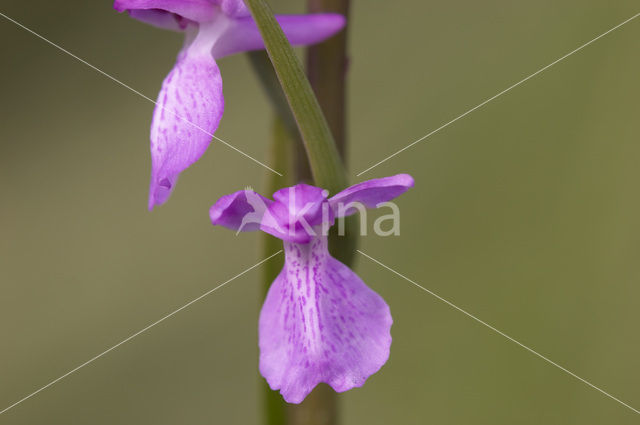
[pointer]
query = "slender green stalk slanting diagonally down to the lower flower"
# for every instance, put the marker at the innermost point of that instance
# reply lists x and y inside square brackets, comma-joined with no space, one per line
[326,165]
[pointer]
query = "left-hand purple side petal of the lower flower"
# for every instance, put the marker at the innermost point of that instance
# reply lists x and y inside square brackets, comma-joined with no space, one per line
[240,211]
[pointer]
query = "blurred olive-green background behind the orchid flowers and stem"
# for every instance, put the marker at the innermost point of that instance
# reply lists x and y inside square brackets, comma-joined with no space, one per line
[525,213]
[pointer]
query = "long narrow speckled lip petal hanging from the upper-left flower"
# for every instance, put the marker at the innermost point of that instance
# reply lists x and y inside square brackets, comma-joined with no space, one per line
[188,111]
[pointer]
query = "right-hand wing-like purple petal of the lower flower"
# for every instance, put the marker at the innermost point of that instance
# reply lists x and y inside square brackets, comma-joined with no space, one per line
[371,193]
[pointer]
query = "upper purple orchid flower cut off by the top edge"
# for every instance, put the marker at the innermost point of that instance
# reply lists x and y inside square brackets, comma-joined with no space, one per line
[190,103]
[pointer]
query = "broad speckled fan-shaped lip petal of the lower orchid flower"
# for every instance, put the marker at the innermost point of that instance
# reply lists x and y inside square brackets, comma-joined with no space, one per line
[320,323]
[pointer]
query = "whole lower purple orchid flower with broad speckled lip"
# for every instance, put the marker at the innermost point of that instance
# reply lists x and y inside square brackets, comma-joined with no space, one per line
[319,322]
